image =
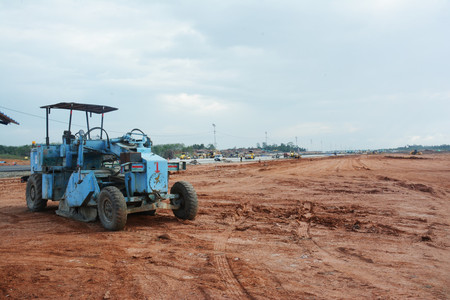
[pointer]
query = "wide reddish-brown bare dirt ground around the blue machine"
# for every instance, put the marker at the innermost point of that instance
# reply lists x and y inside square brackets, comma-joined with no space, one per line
[331,228]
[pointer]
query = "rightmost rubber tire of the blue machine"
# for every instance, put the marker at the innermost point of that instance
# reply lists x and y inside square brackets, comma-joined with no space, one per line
[188,197]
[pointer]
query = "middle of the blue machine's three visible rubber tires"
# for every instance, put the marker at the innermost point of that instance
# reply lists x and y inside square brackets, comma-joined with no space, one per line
[112,209]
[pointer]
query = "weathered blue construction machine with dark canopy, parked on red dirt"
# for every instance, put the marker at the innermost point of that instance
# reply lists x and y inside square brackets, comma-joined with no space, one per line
[105,177]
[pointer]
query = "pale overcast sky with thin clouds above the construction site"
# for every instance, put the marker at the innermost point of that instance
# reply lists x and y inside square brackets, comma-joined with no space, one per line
[335,74]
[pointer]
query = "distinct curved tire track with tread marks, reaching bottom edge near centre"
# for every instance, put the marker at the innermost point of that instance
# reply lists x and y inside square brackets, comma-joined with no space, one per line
[234,288]
